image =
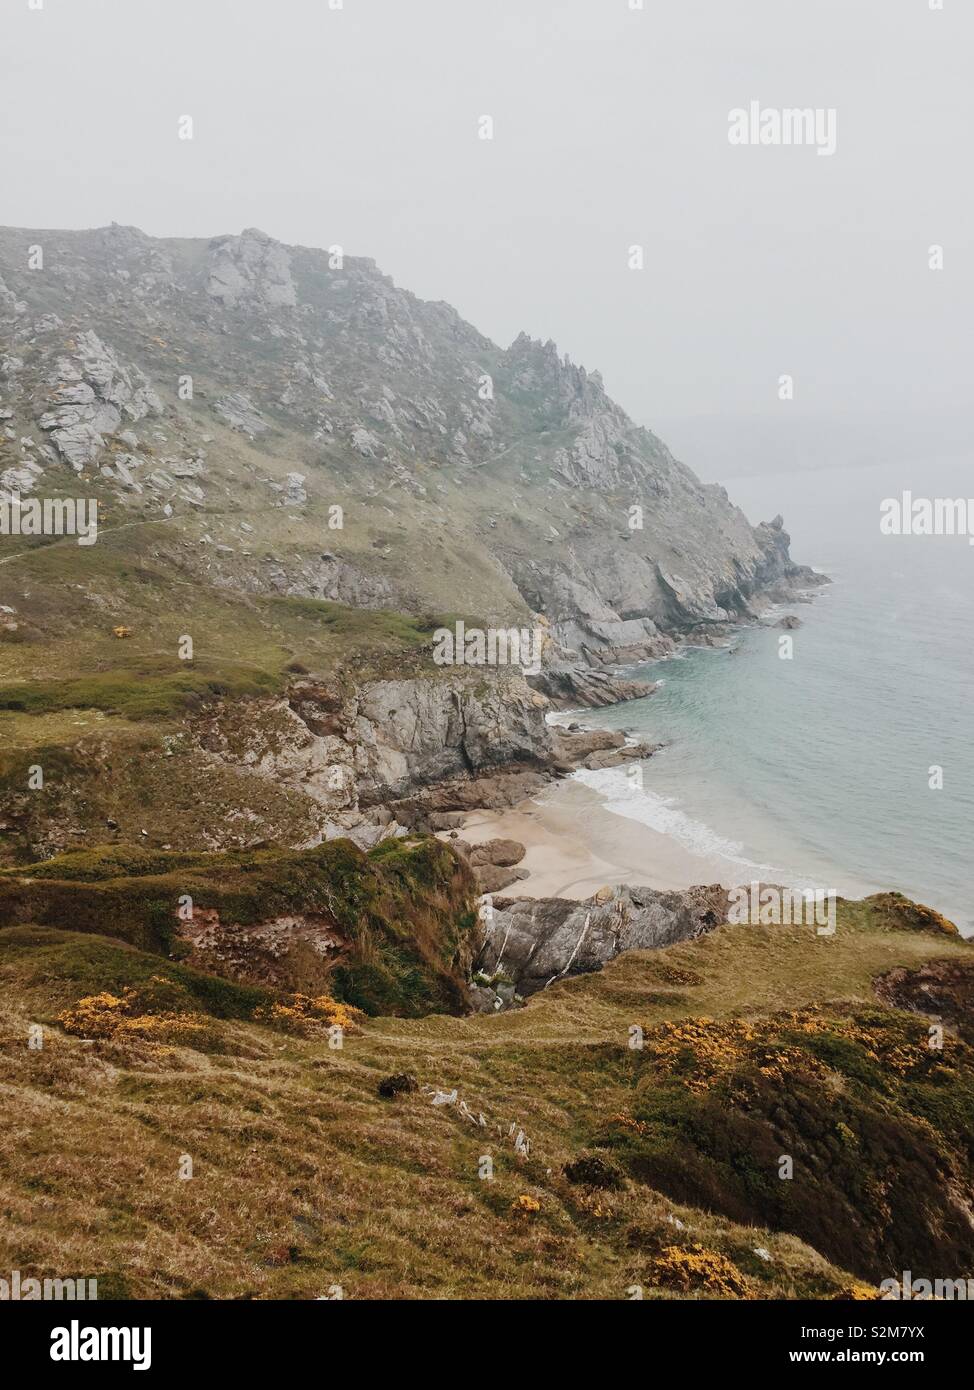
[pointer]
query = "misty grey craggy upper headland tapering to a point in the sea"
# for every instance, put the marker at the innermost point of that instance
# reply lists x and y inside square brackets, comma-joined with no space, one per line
[176,375]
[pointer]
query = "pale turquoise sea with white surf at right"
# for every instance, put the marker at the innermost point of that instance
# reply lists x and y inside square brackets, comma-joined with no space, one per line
[818,769]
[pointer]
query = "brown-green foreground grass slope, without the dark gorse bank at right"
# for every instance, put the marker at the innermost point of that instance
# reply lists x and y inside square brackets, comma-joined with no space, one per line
[305,1178]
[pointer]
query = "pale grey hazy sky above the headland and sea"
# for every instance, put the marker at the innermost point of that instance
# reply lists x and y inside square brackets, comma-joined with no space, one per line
[361,126]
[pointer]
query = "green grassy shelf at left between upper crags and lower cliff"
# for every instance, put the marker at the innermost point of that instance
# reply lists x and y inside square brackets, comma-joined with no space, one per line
[155,580]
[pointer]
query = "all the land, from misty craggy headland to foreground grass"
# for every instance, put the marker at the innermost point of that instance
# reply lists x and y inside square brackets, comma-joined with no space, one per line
[251,896]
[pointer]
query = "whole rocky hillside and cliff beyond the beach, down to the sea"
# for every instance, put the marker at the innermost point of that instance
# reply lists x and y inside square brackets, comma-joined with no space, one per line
[301,472]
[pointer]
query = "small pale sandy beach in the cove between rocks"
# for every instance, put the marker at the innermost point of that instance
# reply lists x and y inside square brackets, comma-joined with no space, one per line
[575,846]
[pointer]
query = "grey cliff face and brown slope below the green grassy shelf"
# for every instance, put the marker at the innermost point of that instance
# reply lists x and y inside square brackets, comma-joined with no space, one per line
[323,761]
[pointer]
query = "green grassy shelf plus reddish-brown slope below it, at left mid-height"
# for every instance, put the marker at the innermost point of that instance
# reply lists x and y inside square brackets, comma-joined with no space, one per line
[105,717]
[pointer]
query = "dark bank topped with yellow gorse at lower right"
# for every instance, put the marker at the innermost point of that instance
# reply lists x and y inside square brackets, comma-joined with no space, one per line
[841,1125]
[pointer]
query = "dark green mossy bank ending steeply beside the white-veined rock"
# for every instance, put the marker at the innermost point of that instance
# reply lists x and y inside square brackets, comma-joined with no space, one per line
[402,915]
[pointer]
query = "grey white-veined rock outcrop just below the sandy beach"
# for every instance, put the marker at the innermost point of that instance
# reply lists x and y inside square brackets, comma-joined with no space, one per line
[540,940]
